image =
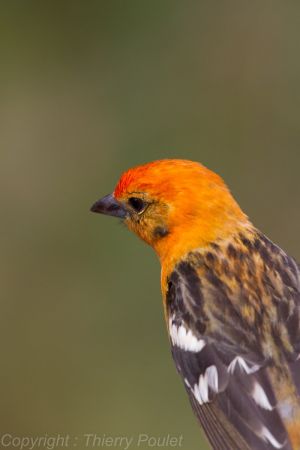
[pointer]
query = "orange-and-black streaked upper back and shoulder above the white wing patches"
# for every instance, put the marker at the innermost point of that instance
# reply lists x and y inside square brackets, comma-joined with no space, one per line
[247,285]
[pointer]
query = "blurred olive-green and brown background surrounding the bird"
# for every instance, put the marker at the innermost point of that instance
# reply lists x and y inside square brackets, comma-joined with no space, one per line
[89,89]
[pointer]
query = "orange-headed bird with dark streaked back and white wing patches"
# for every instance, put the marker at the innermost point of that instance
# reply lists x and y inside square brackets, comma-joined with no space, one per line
[231,300]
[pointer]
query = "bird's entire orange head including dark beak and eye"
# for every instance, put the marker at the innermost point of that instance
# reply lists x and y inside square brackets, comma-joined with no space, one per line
[174,205]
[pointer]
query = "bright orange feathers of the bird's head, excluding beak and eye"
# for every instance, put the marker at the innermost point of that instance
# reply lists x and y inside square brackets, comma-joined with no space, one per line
[199,210]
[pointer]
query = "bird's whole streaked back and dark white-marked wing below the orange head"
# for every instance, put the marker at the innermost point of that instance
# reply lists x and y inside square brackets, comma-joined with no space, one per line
[234,318]
